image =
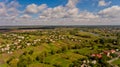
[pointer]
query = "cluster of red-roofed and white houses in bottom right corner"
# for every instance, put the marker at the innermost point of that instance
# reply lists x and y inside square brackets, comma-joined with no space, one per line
[107,55]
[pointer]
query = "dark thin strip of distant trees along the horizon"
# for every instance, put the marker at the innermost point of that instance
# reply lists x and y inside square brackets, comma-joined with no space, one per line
[57,26]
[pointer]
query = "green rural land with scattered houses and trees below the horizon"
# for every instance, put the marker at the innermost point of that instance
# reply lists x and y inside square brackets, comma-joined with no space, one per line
[89,46]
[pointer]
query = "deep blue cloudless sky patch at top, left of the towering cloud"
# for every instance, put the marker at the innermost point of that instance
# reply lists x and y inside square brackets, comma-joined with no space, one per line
[50,3]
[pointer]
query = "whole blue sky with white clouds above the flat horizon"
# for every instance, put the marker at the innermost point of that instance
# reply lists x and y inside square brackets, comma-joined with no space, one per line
[59,12]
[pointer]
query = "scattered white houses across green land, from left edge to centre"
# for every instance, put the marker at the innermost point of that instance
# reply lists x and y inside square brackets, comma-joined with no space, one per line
[17,40]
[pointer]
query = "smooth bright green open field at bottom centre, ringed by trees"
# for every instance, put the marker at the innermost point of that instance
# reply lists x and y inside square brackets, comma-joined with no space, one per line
[61,59]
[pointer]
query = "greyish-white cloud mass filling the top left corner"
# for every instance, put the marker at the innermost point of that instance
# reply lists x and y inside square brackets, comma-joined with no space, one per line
[9,9]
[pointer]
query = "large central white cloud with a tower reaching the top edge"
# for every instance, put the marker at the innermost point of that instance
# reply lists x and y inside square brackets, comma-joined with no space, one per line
[69,11]
